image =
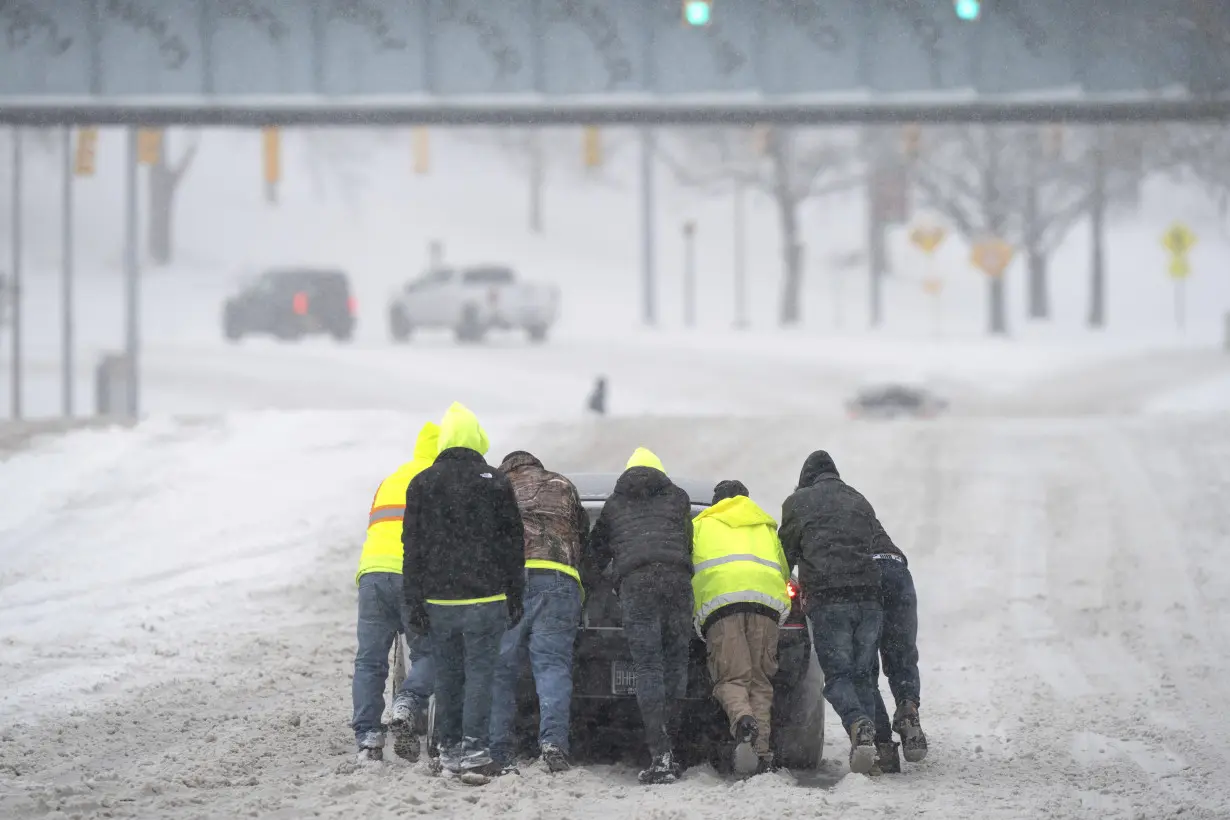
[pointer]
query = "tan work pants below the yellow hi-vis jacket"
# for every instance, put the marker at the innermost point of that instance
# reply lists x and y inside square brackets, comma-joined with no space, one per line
[742,662]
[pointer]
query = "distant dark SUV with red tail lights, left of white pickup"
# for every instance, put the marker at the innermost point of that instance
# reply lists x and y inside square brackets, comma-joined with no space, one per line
[292,303]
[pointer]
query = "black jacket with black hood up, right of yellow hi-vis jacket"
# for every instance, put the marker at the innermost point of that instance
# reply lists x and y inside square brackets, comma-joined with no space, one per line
[831,532]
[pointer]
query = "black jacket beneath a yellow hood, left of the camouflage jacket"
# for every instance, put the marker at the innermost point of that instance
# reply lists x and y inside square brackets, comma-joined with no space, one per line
[462,534]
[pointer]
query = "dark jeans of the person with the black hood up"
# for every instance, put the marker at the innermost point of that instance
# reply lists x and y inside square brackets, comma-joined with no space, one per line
[847,642]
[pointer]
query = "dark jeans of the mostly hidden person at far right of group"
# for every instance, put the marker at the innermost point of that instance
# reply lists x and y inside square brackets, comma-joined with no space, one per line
[899,642]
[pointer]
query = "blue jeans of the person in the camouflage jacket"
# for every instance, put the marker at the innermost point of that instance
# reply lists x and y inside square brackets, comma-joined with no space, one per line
[547,634]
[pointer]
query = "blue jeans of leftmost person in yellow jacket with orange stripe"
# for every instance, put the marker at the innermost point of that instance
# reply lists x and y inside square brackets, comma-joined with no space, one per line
[382,617]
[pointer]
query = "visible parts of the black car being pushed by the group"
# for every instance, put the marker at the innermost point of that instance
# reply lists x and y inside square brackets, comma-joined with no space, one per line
[606,719]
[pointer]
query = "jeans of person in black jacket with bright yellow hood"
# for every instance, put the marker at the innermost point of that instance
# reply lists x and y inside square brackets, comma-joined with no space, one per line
[466,639]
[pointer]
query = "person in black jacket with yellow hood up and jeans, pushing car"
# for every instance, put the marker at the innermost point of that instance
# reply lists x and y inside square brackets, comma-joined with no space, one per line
[464,554]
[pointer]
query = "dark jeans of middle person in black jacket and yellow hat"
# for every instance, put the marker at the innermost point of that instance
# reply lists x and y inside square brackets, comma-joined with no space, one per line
[657,624]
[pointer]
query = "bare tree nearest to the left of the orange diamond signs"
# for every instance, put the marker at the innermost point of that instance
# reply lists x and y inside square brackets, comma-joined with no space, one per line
[790,167]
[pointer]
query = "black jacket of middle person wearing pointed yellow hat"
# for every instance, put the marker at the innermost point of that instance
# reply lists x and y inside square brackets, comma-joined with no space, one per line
[646,521]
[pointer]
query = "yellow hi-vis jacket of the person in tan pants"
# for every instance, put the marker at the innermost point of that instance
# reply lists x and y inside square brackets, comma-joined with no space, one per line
[737,559]
